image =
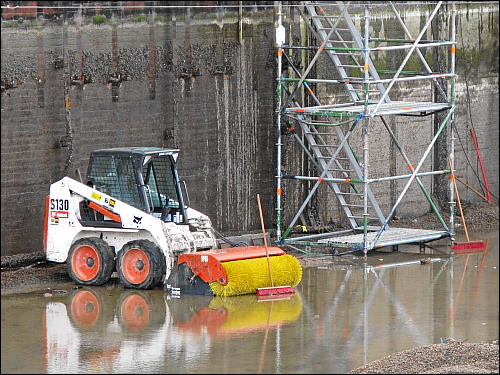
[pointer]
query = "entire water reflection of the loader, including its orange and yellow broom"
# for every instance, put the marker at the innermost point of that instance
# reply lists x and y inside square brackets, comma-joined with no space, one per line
[95,330]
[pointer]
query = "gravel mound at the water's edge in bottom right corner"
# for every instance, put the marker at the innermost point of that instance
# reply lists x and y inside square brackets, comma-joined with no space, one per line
[451,357]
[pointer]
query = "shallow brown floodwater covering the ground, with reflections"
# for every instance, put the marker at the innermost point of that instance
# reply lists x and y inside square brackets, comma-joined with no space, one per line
[343,315]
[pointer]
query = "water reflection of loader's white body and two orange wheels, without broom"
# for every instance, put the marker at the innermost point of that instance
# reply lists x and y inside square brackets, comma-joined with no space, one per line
[87,332]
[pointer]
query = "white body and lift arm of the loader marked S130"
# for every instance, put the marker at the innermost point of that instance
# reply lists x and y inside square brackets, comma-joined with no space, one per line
[64,224]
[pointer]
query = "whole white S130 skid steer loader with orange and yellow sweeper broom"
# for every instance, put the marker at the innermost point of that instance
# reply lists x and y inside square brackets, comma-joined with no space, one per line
[130,216]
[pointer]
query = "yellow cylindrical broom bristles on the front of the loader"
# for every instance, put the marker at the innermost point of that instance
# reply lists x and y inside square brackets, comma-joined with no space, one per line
[247,275]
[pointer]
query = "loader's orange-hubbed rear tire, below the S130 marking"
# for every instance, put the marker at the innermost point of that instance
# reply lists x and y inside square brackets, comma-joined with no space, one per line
[91,261]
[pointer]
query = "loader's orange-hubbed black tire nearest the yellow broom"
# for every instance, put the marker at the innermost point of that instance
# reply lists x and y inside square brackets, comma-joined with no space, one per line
[140,264]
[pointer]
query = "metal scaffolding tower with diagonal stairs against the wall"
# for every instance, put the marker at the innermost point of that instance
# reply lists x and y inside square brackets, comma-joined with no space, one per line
[323,130]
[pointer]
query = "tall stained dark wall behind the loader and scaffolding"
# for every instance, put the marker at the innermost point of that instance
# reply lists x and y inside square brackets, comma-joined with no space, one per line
[199,80]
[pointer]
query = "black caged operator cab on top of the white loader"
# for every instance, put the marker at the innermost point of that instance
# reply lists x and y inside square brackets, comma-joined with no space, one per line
[143,177]
